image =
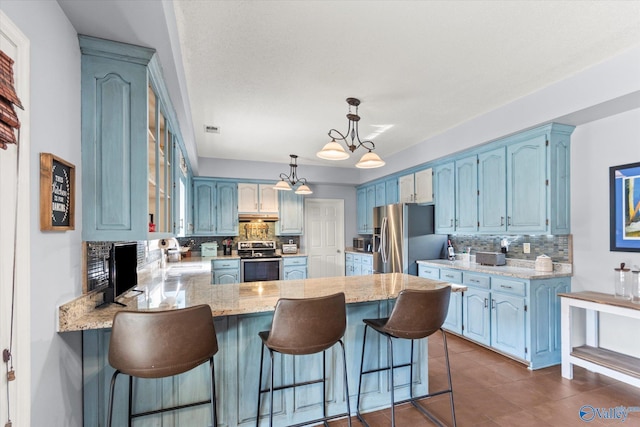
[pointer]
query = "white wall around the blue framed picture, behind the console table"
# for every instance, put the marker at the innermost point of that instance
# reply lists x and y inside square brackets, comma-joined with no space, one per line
[595,147]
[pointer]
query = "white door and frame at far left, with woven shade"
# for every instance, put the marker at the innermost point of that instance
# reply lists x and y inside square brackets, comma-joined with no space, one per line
[14,237]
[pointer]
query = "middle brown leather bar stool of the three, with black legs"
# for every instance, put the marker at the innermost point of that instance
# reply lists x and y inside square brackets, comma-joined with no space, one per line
[300,327]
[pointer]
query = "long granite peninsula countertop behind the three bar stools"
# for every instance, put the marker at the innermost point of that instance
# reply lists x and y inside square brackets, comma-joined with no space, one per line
[188,283]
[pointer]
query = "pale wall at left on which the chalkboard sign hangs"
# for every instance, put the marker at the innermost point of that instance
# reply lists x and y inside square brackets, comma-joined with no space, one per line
[56,369]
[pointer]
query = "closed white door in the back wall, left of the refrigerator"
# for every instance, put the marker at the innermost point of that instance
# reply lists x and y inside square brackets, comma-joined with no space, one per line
[324,237]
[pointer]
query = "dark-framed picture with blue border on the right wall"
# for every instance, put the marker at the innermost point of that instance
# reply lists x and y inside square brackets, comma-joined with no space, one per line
[624,205]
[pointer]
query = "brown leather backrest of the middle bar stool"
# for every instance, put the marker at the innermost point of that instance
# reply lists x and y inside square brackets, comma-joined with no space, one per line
[307,326]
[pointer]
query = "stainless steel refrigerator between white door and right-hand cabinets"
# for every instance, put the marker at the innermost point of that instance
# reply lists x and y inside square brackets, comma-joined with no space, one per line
[402,234]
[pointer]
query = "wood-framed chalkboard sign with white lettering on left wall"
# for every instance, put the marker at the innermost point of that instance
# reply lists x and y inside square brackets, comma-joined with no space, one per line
[57,193]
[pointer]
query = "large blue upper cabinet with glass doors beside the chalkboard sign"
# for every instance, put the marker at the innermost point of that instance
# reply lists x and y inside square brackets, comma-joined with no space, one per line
[129,129]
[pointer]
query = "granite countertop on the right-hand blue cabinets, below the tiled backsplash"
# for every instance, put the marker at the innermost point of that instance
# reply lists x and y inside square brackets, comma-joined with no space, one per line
[522,269]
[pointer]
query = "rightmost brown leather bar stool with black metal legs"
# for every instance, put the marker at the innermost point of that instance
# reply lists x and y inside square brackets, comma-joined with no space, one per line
[417,314]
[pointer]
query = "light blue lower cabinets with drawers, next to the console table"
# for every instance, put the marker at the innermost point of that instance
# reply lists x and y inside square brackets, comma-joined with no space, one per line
[517,317]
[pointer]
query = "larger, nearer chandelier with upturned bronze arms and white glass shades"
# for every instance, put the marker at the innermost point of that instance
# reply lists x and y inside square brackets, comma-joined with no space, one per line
[334,151]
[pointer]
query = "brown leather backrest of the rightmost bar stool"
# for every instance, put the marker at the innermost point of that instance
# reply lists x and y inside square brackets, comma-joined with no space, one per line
[418,313]
